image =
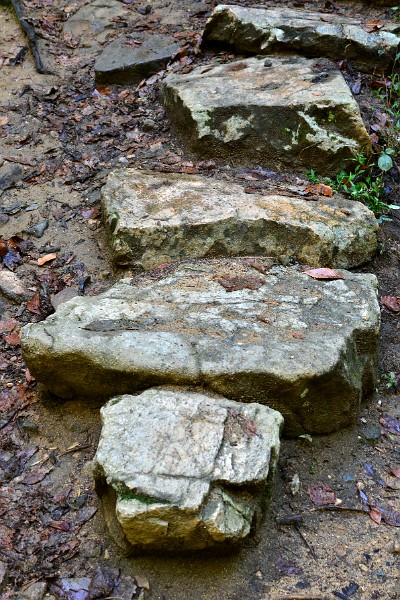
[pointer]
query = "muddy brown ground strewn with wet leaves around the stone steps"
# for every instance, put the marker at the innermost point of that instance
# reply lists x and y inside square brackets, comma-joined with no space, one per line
[64,134]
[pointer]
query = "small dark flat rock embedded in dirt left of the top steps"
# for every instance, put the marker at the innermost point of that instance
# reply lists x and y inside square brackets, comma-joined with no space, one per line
[124,62]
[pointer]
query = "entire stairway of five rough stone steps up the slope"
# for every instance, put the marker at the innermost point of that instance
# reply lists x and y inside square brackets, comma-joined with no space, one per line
[227,326]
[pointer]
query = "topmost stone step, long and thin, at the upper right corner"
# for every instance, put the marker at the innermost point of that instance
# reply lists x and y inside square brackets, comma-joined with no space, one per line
[264,31]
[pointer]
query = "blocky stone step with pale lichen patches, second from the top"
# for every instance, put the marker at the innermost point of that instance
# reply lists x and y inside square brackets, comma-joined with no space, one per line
[287,112]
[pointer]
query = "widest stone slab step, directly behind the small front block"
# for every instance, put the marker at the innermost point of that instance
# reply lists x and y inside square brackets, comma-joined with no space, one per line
[303,346]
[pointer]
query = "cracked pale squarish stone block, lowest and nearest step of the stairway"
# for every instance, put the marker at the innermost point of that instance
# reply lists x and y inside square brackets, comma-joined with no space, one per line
[189,470]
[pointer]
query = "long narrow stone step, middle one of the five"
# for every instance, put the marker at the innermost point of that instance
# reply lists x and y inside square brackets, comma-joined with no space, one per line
[153,218]
